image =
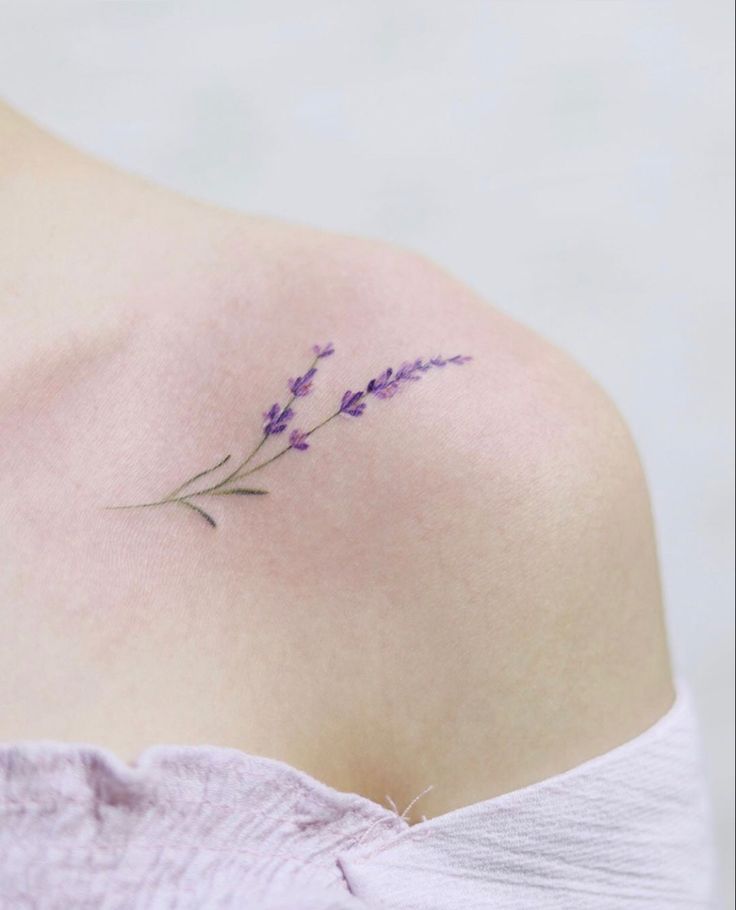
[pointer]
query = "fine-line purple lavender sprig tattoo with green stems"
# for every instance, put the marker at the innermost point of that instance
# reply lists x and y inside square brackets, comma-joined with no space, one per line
[276,421]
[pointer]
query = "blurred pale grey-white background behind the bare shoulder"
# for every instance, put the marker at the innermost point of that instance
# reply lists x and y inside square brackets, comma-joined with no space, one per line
[570,159]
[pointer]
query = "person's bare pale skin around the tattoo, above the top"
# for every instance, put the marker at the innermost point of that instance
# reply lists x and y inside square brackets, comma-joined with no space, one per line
[458,589]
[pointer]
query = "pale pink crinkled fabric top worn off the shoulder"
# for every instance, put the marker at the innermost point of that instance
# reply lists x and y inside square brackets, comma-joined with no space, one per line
[205,827]
